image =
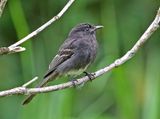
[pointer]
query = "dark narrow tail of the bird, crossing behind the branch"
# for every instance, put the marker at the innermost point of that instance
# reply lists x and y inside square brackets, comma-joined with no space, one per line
[42,84]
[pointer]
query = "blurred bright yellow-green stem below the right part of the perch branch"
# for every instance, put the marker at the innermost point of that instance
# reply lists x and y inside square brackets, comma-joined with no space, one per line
[124,95]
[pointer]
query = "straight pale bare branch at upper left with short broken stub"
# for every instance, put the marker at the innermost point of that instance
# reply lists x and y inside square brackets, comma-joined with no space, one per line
[16,48]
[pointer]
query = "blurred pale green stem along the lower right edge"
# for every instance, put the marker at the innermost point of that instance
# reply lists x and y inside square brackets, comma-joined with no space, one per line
[152,97]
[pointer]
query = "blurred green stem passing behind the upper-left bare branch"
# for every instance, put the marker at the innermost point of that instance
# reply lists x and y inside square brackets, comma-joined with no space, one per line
[21,27]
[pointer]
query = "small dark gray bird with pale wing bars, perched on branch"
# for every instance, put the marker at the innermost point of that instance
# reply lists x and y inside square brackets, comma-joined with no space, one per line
[74,56]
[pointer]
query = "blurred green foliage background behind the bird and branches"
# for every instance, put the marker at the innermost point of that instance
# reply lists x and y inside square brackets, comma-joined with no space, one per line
[131,91]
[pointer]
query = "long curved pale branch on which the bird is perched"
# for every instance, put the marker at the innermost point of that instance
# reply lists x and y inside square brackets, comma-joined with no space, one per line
[151,29]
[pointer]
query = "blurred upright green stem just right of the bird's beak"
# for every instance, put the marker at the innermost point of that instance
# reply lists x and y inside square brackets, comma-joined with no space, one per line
[109,19]
